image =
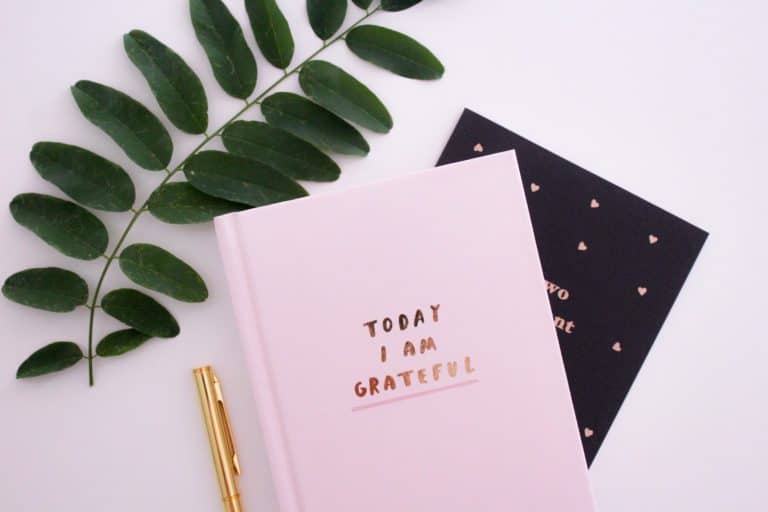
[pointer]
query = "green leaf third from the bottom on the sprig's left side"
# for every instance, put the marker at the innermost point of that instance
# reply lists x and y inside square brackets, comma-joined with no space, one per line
[70,228]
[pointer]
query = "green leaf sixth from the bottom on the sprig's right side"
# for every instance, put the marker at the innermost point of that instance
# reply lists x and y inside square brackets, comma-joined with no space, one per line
[280,150]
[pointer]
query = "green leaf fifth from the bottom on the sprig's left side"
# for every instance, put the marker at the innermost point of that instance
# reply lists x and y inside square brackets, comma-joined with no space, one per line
[130,124]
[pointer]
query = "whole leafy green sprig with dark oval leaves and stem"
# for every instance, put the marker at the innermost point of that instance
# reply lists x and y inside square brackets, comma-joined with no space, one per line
[262,164]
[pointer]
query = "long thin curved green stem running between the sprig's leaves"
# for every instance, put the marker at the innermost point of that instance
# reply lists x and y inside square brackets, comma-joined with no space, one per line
[171,173]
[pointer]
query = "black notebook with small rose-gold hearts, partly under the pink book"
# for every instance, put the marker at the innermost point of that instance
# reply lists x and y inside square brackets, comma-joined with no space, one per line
[613,263]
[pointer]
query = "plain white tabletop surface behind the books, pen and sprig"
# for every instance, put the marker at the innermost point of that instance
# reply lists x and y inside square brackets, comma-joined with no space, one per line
[665,98]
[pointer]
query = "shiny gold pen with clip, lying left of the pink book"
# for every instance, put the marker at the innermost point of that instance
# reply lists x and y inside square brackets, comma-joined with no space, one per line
[220,436]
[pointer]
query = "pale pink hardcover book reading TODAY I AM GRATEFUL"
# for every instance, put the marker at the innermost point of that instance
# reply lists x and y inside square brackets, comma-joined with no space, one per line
[401,347]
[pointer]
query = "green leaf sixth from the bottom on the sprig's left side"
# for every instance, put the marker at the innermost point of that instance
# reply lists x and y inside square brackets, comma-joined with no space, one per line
[177,88]
